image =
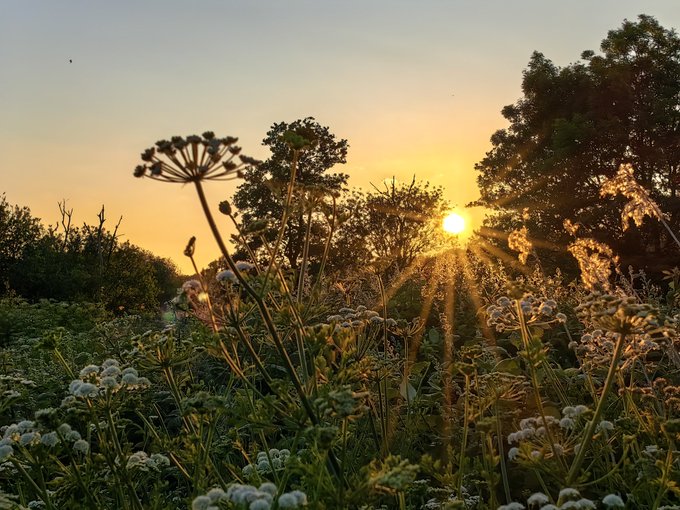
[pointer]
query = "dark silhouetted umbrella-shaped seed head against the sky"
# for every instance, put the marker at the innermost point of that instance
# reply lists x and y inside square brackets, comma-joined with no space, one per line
[194,159]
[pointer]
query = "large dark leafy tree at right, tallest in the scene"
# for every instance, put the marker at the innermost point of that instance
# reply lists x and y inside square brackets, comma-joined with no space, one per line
[574,127]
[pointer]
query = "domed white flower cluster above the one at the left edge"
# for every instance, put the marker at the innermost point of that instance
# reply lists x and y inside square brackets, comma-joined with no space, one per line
[95,380]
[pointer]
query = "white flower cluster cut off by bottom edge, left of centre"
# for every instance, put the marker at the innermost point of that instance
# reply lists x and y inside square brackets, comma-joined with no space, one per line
[250,498]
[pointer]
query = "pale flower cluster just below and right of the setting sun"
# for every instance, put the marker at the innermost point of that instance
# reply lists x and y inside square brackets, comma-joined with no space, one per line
[504,315]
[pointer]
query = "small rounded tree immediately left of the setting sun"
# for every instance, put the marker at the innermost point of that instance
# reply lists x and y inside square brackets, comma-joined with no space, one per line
[392,226]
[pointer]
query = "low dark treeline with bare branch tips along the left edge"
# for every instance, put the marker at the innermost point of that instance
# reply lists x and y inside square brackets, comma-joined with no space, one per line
[87,263]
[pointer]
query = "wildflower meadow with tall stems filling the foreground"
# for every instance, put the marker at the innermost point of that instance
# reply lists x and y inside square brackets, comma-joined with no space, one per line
[461,381]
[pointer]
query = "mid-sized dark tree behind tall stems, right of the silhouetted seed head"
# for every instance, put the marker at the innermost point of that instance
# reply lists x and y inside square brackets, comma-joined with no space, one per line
[261,196]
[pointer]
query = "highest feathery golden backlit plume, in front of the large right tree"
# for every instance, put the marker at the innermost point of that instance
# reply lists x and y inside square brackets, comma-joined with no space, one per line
[639,202]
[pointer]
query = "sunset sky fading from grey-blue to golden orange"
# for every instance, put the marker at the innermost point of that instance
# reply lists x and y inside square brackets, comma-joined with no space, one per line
[416,87]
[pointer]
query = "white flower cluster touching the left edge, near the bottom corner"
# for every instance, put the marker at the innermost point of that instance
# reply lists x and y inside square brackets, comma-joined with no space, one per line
[27,434]
